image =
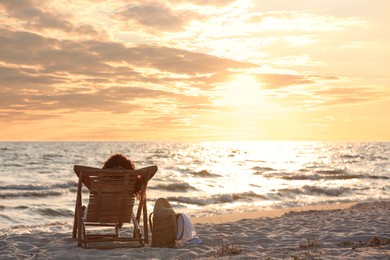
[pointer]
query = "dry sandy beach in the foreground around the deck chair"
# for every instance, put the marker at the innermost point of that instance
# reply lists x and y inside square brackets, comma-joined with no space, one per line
[338,231]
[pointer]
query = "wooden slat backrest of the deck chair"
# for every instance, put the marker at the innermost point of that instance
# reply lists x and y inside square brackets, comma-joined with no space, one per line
[112,195]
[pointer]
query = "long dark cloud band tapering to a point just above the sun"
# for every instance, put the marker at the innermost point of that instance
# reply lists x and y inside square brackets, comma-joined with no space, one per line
[84,57]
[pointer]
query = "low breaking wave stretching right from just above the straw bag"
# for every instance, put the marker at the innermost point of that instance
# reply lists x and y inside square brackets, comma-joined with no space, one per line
[217,199]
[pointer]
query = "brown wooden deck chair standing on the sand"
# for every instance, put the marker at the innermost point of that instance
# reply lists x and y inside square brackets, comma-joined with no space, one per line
[111,203]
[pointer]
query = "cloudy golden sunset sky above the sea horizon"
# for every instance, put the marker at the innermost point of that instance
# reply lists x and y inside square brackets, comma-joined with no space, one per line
[201,70]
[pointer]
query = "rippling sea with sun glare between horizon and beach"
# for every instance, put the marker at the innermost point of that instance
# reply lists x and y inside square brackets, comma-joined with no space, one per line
[38,185]
